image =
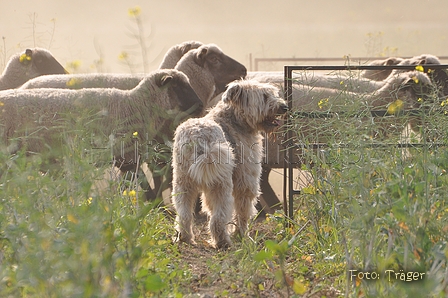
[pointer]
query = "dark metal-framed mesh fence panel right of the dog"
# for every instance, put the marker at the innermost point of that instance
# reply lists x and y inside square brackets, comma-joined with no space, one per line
[328,129]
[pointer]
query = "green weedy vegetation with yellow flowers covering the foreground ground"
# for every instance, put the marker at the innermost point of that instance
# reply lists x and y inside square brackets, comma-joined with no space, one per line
[371,210]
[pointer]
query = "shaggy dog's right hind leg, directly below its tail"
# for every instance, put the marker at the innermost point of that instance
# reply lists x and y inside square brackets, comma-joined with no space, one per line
[218,203]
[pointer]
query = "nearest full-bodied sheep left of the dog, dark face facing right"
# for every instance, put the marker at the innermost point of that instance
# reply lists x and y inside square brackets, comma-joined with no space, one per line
[31,119]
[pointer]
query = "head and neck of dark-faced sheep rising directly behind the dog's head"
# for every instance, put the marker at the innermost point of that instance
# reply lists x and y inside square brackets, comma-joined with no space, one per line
[211,72]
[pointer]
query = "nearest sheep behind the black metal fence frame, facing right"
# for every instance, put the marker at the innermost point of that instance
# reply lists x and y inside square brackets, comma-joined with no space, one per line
[308,99]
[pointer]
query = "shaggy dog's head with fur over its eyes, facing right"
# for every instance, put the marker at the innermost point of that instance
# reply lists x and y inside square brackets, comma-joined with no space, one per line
[255,104]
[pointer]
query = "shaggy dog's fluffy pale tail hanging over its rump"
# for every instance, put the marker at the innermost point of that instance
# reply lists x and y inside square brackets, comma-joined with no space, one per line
[213,165]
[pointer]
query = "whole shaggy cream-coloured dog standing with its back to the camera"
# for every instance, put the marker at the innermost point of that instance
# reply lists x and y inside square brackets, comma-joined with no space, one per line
[220,155]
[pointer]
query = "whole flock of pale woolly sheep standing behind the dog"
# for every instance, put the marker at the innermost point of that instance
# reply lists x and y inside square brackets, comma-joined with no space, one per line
[38,94]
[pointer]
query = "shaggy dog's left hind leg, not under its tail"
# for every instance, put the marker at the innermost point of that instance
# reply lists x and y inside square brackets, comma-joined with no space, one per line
[184,199]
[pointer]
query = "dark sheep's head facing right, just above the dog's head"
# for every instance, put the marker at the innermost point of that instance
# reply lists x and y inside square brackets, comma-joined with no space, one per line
[223,68]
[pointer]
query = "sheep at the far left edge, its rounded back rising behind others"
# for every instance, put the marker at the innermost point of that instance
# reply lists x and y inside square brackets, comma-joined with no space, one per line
[24,66]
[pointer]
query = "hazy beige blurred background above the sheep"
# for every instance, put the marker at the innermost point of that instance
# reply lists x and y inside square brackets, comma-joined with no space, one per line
[95,33]
